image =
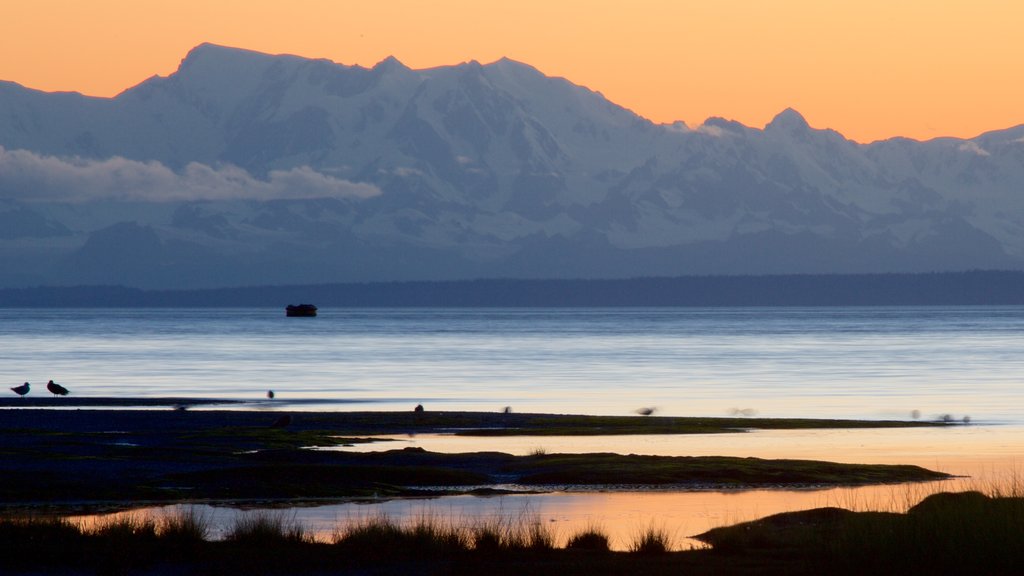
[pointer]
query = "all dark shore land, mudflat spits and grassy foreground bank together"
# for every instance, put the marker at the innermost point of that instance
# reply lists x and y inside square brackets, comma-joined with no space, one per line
[54,461]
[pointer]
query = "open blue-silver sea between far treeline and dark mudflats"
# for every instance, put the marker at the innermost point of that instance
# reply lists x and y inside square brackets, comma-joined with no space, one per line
[847,363]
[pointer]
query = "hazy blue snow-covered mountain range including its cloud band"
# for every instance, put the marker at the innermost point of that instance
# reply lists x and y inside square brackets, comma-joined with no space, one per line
[244,169]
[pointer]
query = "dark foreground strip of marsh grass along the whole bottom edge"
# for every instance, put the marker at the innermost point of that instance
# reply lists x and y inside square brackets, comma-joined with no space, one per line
[971,532]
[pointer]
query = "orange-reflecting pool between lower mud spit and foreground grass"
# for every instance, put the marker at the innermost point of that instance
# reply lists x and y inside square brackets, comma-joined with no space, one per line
[621,515]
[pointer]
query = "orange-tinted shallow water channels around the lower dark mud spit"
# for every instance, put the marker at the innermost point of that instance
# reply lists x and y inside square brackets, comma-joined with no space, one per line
[987,457]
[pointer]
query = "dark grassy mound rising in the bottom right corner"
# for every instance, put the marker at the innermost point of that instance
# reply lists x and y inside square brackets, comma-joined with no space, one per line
[917,529]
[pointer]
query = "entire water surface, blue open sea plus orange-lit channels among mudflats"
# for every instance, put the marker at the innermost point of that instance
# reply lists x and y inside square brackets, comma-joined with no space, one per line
[875,363]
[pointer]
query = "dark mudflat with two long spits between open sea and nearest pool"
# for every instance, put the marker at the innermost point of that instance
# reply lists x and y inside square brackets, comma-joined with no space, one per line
[123,458]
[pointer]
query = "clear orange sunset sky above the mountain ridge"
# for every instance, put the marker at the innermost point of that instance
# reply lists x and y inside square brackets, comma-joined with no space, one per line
[870,69]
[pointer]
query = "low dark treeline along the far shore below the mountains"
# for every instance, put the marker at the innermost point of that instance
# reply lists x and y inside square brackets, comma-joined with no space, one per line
[976,287]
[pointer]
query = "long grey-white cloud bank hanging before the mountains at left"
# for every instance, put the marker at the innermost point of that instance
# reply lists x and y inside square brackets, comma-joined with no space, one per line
[26,176]
